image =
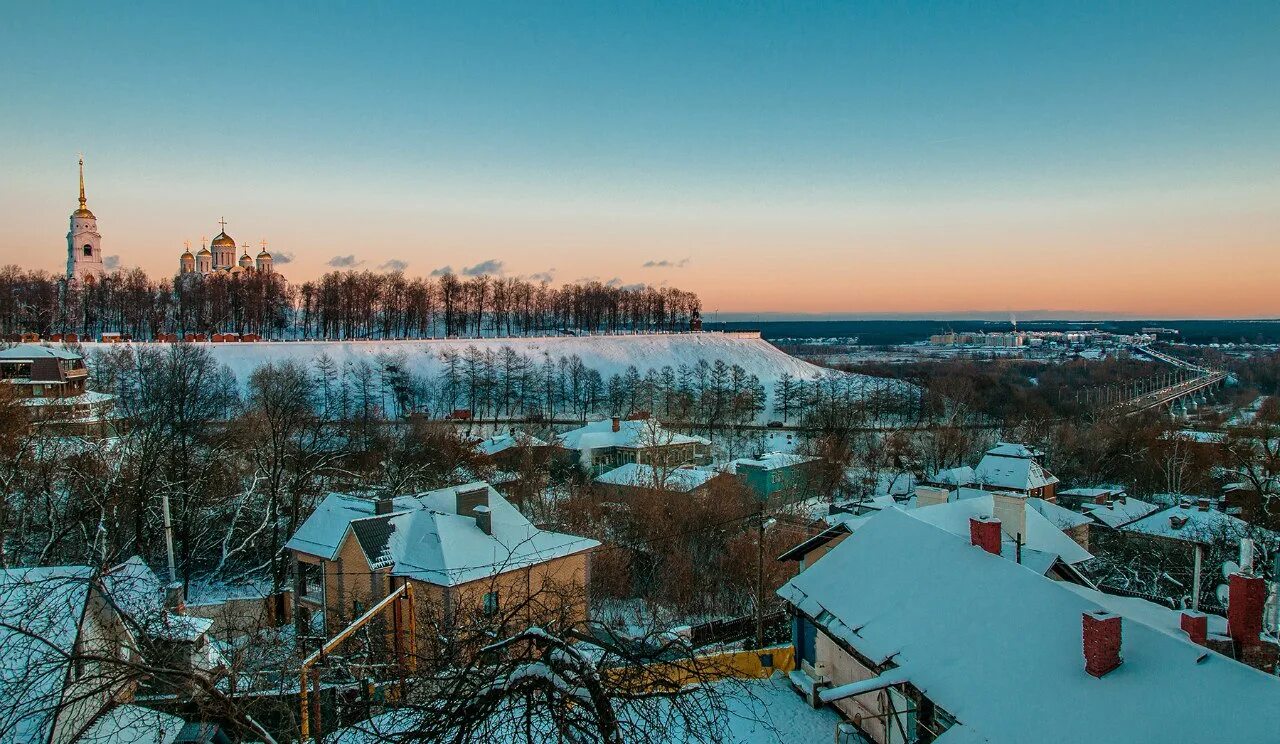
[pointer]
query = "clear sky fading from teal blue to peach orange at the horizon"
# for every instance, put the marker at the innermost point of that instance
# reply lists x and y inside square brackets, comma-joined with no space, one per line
[836,159]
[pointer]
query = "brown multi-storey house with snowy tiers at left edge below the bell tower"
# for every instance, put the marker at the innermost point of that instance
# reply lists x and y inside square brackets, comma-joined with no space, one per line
[52,382]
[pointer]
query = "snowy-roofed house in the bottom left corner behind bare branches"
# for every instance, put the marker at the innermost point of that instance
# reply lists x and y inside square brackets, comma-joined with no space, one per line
[52,622]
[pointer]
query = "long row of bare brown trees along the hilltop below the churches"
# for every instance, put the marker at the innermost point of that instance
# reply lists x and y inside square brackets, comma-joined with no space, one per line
[337,307]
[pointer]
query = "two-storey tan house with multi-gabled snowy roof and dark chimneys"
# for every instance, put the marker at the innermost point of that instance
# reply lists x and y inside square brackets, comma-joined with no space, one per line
[465,551]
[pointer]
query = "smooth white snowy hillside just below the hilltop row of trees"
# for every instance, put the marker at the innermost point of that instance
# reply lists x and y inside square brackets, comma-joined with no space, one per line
[609,355]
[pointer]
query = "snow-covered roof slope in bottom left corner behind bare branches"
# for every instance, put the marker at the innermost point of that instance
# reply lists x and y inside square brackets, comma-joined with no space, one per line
[40,617]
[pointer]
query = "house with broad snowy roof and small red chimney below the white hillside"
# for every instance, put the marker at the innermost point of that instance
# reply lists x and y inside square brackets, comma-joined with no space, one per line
[614,442]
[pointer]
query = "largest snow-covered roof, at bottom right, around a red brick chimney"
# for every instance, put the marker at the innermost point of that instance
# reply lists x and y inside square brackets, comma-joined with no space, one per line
[999,647]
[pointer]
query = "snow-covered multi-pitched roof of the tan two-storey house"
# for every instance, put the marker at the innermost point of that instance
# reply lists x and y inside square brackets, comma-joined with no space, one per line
[426,538]
